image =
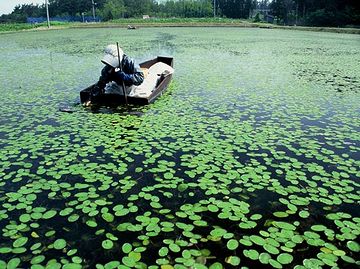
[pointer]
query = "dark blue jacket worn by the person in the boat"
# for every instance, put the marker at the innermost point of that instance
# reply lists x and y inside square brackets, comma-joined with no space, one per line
[132,74]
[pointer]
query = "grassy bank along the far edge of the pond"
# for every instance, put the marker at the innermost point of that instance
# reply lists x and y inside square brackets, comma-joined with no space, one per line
[172,22]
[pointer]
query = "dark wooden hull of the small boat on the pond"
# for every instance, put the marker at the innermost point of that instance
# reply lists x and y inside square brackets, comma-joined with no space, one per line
[117,99]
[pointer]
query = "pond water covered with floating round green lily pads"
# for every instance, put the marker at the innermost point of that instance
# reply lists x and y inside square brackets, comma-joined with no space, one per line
[251,159]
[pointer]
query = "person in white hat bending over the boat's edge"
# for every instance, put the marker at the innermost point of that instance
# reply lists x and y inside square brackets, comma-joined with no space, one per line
[128,74]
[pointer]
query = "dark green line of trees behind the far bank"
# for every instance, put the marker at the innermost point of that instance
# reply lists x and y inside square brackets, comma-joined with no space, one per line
[288,12]
